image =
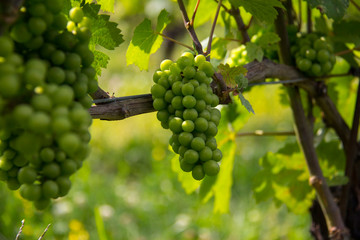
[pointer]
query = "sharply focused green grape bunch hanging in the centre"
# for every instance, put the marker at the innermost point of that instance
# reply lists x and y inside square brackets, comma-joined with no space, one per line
[186,105]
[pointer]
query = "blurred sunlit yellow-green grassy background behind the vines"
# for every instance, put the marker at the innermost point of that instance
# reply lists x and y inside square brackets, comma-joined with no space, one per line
[127,189]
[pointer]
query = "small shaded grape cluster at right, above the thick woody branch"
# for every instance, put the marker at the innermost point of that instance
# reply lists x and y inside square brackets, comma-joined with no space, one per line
[313,55]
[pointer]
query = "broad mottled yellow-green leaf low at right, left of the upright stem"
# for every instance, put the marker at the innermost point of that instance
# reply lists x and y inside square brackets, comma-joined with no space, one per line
[284,178]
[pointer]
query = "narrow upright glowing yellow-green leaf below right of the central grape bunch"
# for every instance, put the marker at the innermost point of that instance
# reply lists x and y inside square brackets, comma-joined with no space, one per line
[222,187]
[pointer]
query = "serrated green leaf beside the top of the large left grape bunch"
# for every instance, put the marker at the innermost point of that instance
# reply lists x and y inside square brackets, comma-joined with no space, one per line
[104,33]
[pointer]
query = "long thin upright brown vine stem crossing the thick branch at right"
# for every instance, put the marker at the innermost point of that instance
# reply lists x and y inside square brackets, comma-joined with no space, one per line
[329,208]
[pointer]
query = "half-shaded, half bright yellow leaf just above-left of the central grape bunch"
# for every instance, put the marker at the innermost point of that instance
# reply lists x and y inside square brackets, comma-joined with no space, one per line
[146,41]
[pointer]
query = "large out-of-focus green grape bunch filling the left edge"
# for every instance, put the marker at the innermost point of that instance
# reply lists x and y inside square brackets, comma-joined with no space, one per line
[45,78]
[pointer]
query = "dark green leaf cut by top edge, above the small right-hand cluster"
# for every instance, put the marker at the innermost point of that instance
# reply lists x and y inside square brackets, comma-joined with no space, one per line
[334,9]
